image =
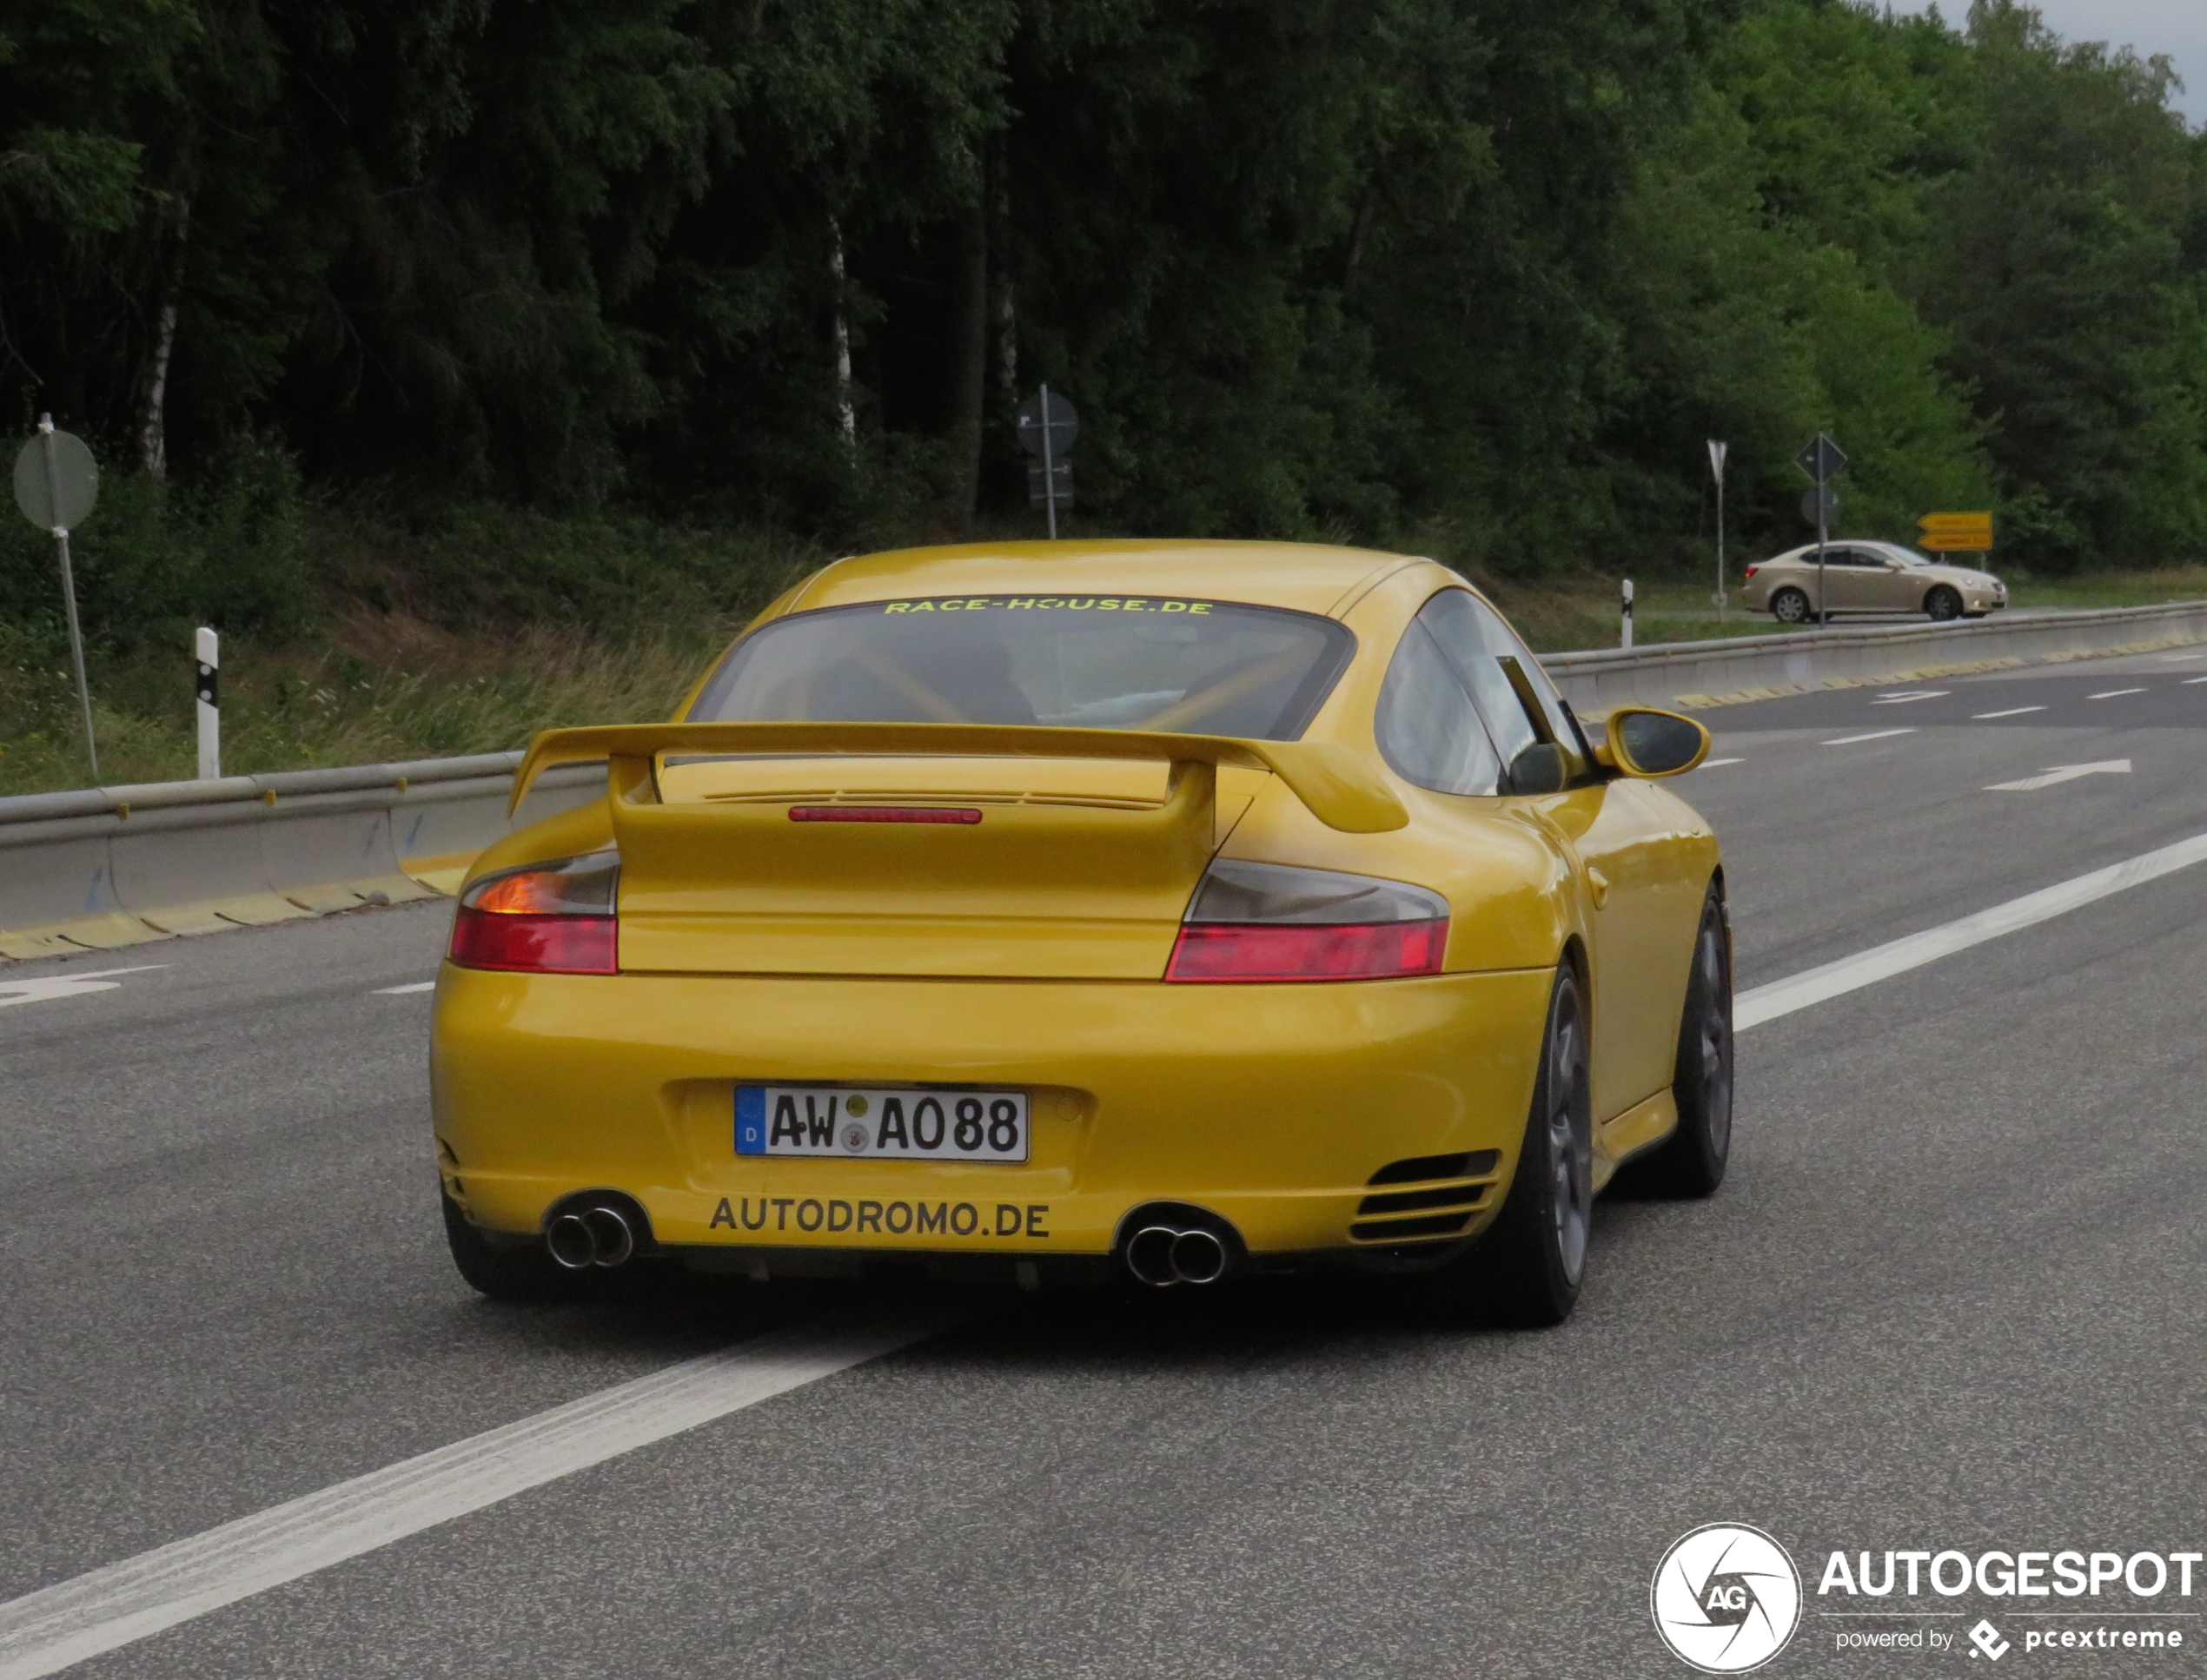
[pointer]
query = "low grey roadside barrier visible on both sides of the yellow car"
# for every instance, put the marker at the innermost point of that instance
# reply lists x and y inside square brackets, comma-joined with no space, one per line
[116,866]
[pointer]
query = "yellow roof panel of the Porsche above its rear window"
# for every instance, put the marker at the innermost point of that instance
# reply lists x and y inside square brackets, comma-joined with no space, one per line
[1308,577]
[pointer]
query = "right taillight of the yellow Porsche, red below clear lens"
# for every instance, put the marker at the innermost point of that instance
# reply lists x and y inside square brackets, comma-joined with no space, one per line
[1268,922]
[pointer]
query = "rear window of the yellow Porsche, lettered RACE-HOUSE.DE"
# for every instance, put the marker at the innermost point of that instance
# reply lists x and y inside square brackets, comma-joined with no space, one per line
[1193,668]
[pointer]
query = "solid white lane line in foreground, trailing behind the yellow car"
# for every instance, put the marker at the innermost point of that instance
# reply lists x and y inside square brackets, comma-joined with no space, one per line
[173,1584]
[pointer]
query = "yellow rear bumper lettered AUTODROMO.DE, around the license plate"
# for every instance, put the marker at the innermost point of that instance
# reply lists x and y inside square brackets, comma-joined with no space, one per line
[1264,1105]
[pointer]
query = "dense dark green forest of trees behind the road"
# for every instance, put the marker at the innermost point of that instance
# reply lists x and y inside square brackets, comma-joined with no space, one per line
[1464,275]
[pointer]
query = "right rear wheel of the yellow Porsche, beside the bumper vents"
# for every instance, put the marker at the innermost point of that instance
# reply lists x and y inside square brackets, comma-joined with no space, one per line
[1531,1262]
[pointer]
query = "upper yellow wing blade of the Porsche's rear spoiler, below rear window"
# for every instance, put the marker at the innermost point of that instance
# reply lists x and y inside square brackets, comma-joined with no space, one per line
[1334,783]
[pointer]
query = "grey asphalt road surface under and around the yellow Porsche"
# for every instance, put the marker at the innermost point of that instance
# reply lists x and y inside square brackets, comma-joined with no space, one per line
[1948,1299]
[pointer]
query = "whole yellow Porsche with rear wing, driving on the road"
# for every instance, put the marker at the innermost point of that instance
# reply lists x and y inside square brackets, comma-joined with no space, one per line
[1087,911]
